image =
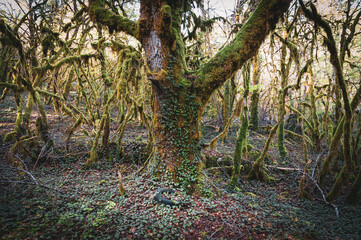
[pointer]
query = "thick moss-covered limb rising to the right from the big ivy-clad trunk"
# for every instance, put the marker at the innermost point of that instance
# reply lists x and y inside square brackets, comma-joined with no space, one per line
[244,46]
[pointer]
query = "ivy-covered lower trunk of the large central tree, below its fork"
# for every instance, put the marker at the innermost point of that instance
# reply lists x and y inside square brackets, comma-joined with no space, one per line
[176,123]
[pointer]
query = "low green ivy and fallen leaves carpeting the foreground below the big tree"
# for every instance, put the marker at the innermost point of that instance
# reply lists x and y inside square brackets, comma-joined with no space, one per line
[87,205]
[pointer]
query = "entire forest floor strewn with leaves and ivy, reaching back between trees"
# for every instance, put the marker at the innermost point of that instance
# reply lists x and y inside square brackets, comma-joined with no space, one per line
[70,202]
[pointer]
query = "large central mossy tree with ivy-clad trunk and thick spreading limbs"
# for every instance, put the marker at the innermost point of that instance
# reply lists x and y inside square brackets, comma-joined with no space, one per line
[180,96]
